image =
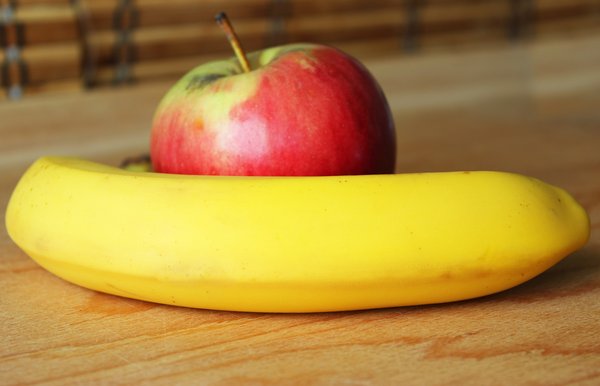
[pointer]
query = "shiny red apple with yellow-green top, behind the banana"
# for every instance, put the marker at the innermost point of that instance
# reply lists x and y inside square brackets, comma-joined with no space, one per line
[302,110]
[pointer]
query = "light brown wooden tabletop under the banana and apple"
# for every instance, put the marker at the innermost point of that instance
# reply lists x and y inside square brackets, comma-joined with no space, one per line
[532,109]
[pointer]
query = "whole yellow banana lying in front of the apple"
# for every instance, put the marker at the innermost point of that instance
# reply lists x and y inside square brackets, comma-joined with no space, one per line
[291,244]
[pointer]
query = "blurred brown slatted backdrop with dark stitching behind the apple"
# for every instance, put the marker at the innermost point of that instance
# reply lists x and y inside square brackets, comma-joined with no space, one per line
[49,46]
